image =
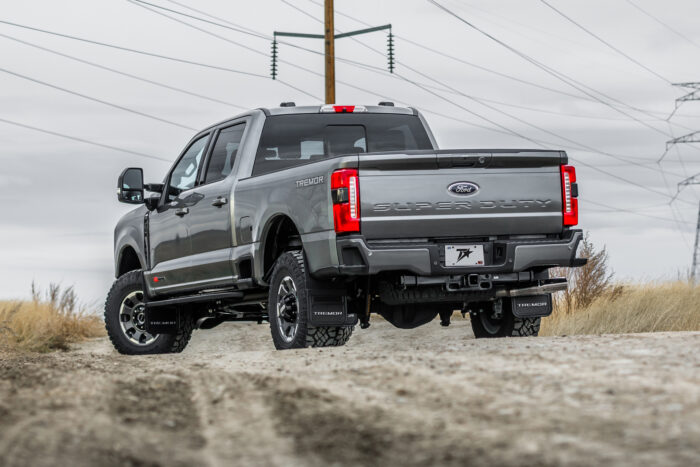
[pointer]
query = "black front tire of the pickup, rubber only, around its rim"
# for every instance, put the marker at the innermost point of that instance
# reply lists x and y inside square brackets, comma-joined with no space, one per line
[164,343]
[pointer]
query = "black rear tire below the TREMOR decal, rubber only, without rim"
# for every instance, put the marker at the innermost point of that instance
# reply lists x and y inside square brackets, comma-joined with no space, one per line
[292,264]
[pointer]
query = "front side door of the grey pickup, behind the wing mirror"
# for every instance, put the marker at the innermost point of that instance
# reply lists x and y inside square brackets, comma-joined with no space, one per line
[168,238]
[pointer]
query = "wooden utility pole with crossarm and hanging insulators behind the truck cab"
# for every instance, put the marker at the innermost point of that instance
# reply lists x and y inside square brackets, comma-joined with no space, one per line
[329,36]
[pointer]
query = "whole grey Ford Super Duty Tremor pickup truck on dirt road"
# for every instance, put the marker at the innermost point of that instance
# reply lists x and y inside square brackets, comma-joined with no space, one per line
[312,218]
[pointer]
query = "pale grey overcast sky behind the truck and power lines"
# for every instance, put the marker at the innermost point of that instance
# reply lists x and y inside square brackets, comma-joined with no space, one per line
[58,196]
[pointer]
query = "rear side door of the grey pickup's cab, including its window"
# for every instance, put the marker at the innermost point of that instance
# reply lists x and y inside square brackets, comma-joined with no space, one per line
[209,219]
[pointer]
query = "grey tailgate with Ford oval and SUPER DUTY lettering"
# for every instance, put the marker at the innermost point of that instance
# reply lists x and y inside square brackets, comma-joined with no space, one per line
[459,193]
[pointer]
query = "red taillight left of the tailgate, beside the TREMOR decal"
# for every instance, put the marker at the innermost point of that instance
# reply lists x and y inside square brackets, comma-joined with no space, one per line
[345,192]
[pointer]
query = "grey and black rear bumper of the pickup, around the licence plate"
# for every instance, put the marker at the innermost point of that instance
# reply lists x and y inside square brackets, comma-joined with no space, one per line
[356,256]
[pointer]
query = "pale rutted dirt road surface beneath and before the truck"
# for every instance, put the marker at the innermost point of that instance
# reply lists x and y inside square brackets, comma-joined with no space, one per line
[431,396]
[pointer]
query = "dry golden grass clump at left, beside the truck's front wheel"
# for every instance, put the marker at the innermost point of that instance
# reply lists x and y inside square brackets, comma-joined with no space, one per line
[50,321]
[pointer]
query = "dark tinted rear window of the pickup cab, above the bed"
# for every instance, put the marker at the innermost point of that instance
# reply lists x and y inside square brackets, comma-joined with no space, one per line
[291,140]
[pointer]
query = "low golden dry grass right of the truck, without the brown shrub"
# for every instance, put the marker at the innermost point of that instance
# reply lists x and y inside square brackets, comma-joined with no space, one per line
[632,308]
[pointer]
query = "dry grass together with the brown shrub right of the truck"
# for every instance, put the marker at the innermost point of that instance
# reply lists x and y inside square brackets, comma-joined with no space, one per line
[594,304]
